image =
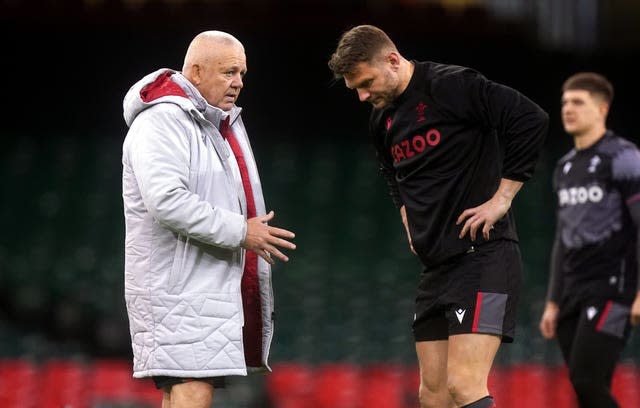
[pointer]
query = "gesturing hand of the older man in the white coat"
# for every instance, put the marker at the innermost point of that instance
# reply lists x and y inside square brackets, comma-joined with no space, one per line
[265,240]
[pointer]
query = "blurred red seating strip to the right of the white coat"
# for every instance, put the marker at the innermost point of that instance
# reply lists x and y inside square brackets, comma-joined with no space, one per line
[395,386]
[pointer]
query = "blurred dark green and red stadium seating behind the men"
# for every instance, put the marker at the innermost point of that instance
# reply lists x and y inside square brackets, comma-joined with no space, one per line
[343,302]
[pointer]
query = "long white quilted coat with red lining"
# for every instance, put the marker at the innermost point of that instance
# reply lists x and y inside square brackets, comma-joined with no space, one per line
[184,221]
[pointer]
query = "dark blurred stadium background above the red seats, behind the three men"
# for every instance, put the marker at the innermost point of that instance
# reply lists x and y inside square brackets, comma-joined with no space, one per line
[345,298]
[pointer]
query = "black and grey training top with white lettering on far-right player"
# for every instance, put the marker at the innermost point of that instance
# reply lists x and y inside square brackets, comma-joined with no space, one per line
[595,250]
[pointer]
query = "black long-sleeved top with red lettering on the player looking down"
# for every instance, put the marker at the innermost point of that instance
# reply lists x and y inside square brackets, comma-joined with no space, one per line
[443,147]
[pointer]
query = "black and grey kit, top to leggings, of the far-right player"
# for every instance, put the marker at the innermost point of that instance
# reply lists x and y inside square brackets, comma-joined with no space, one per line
[594,263]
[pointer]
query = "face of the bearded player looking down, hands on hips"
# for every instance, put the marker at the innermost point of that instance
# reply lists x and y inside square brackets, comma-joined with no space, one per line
[376,83]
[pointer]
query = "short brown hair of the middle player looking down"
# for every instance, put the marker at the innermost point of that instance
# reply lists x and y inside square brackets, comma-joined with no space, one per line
[359,44]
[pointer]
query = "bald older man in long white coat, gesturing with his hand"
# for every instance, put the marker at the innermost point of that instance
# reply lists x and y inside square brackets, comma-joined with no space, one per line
[198,245]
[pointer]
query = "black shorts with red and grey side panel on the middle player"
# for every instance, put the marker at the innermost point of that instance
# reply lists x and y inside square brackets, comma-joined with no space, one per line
[475,292]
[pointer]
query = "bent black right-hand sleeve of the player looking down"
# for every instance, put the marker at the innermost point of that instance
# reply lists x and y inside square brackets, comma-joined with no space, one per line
[520,123]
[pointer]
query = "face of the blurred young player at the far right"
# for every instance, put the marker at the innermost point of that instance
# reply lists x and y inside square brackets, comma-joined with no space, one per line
[581,112]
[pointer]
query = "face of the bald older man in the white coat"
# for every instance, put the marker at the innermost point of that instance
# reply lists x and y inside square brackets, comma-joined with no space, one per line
[221,78]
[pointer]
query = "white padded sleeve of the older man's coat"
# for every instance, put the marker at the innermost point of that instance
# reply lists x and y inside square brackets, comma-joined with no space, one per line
[158,151]
